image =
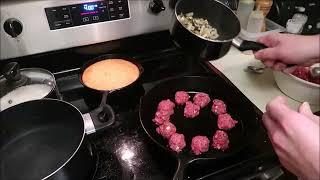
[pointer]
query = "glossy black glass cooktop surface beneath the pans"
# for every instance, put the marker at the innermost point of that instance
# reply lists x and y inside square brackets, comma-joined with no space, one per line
[124,149]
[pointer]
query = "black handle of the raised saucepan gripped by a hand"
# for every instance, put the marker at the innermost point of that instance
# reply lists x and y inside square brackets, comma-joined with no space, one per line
[244,45]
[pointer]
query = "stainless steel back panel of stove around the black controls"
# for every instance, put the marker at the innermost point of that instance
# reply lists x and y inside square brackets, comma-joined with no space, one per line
[37,37]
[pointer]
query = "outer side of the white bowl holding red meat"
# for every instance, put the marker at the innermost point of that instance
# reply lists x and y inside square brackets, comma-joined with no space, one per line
[297,89]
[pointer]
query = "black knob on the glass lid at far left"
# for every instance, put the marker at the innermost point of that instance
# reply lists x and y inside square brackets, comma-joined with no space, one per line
[11,71]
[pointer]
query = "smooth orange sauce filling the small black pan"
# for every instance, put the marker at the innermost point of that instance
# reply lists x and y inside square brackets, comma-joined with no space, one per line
[110,74]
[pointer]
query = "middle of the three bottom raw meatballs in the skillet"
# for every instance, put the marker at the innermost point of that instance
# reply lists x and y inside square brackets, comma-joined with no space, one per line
[200,144]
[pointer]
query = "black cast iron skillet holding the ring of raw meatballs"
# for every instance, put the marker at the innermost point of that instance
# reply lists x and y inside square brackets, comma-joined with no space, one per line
[240,108]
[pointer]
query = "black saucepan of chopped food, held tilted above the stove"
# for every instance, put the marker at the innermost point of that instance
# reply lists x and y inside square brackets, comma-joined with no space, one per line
[206,29]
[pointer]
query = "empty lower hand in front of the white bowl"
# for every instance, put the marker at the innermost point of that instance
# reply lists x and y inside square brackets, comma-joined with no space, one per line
[294,137]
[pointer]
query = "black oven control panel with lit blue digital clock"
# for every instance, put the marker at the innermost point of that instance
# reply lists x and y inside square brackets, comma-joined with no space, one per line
[87,13]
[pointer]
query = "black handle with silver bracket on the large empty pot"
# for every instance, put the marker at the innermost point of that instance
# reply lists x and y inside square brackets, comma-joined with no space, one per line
[100,118]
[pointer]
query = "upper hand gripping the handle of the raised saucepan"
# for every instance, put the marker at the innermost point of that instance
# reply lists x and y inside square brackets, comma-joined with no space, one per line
[288,49]
